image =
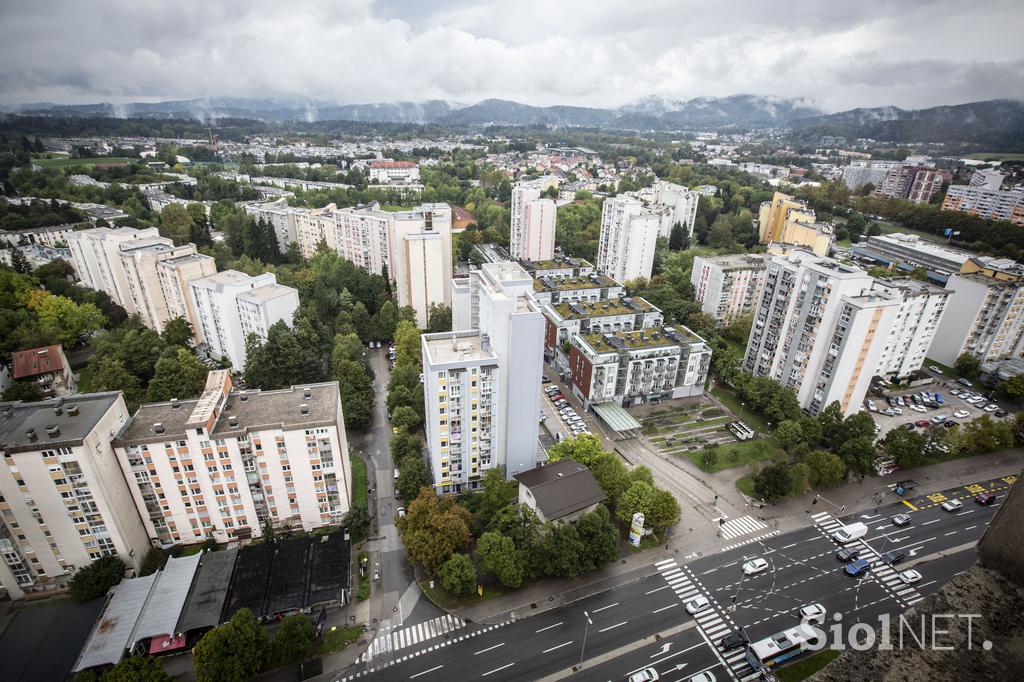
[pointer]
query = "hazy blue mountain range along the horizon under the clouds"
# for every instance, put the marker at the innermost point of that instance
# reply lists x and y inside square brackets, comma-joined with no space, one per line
[998,121]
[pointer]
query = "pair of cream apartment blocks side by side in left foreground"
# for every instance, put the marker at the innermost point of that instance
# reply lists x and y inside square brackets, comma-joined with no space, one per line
[81,480]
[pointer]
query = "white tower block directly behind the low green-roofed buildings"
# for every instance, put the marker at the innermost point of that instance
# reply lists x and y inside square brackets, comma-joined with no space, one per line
[626,246]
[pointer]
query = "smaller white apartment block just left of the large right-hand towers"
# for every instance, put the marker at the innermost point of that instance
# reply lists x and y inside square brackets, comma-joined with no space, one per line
[729,287]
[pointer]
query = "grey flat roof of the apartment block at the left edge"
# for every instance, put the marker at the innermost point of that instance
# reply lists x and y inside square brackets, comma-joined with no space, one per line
[18,420]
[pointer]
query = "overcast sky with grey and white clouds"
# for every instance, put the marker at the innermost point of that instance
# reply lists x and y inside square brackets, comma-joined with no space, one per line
[600,53]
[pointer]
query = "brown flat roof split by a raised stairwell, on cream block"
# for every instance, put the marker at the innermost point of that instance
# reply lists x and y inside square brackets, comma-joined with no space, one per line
[254,410]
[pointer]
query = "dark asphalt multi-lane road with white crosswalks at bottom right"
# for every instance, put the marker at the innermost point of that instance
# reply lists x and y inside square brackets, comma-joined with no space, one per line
[645,623]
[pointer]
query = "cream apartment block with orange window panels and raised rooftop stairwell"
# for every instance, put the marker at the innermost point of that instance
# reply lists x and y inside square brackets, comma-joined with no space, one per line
[225,466]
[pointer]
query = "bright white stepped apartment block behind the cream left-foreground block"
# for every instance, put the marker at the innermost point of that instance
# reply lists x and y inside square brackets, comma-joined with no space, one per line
[231,306]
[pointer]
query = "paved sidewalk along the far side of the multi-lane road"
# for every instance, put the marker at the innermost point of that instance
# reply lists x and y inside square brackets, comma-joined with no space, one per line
[784,518]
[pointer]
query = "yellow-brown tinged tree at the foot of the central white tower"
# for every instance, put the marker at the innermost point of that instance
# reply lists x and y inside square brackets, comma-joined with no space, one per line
[434,529]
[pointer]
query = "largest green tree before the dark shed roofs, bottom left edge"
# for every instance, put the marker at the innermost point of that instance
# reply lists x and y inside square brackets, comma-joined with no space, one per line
[233,653]
